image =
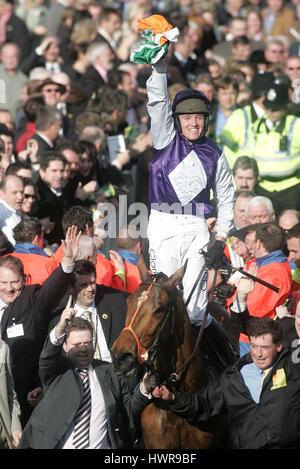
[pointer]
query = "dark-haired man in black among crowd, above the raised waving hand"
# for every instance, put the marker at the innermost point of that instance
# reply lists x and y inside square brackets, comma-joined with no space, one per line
[52,202]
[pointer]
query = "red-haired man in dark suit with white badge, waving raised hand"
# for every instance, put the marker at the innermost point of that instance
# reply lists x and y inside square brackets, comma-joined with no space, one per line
[25,314]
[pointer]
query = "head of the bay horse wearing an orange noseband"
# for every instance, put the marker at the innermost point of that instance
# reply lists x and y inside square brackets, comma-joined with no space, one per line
[155,315]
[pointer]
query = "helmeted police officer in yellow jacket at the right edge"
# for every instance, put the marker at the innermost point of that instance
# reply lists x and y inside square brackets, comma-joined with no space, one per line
[277,150]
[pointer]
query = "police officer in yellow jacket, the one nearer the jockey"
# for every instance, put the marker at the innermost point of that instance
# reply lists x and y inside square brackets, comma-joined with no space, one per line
[237,135]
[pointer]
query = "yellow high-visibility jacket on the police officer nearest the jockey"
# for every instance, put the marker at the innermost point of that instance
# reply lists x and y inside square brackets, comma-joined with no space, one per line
[237,138]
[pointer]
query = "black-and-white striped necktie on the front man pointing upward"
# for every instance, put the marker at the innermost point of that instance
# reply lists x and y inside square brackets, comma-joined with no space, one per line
[81,435]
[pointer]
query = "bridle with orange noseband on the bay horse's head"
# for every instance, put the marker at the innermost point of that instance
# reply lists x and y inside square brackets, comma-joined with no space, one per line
[147,356]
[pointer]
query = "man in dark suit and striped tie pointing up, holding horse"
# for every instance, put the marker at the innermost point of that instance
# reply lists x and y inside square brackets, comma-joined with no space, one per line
[111,413]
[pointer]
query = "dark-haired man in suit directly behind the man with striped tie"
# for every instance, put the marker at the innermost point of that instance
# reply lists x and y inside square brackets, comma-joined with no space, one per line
[106,307]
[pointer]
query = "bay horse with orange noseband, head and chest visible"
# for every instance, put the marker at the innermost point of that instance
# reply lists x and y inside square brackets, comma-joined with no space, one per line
[158,335]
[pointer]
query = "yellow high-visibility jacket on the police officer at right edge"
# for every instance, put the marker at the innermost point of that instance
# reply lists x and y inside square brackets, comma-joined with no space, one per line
[277,152]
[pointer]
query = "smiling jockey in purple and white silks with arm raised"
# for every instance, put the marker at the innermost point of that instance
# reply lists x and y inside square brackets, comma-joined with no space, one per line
[185,168]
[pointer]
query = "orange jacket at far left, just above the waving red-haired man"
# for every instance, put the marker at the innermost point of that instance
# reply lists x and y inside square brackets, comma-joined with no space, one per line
[37,268]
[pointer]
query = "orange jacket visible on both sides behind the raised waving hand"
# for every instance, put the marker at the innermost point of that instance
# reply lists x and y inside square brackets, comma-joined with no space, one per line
[104,270]
